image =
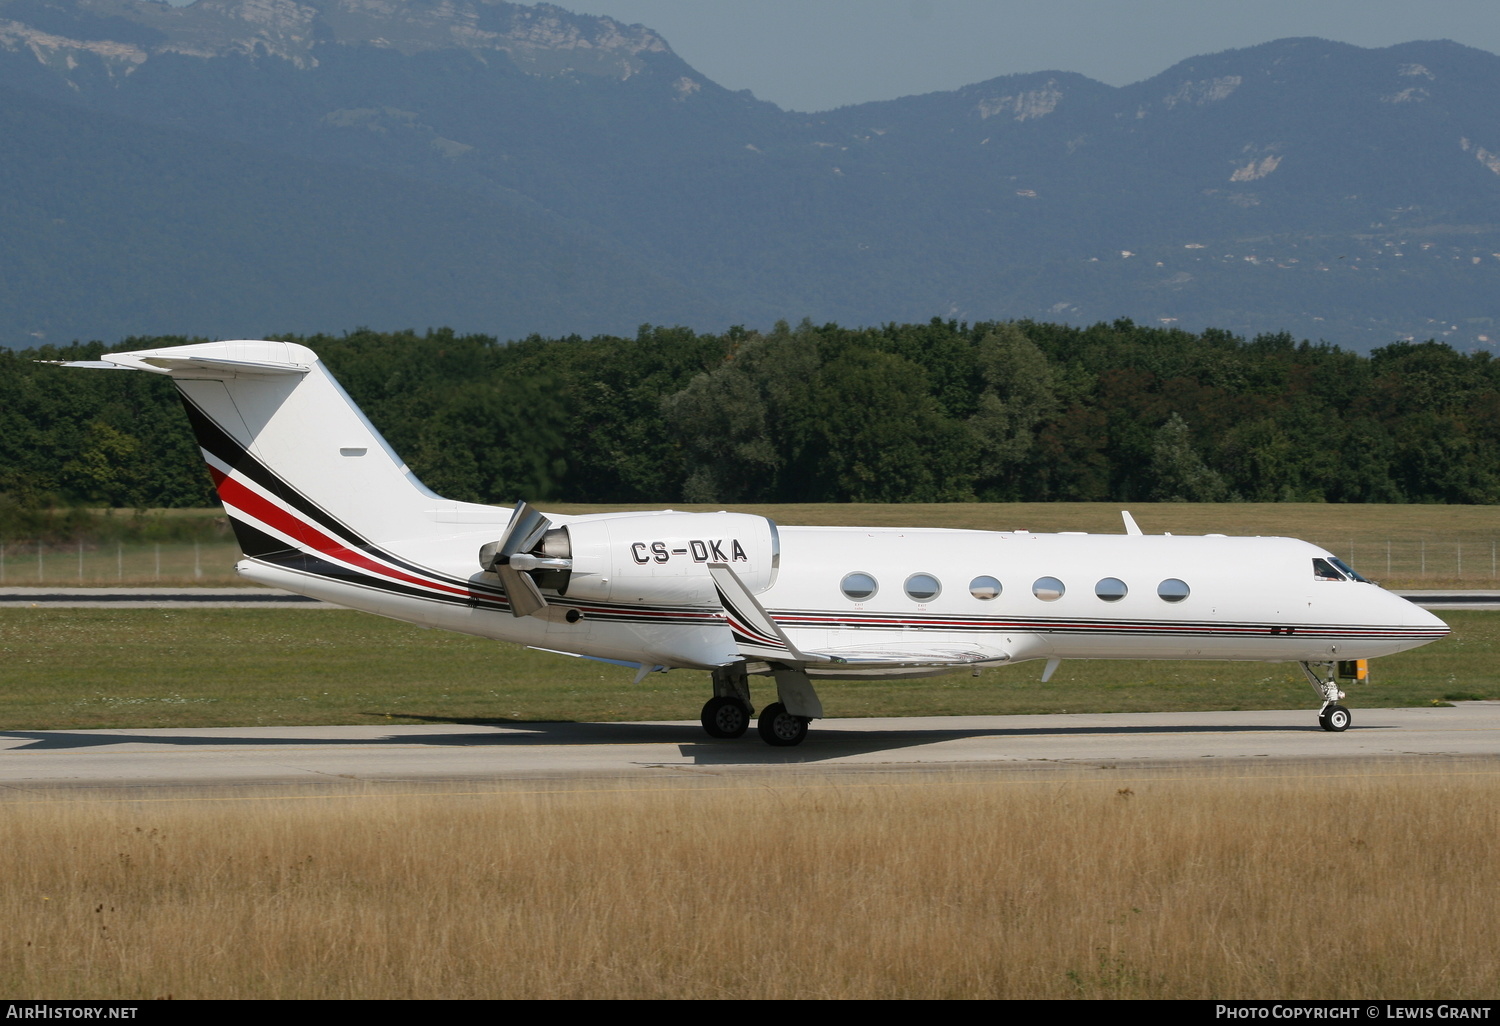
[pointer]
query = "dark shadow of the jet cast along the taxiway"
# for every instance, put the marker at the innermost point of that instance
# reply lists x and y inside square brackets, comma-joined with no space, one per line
[824,742]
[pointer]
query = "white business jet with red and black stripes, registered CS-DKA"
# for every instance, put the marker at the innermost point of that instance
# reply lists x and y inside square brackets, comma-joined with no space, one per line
[322,506]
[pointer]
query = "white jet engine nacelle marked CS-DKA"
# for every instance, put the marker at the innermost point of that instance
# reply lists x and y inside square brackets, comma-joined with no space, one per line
[664,557]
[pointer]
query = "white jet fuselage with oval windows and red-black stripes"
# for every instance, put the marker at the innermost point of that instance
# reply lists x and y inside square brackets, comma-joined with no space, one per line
[1240,599]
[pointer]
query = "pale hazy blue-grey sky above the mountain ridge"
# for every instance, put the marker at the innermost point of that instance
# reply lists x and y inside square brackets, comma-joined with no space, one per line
[818,55]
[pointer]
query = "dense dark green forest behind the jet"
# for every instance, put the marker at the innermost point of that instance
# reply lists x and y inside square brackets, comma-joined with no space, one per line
[902,413]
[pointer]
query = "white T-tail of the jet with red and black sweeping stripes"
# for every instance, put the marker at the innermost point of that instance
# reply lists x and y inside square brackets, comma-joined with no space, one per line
[308,482]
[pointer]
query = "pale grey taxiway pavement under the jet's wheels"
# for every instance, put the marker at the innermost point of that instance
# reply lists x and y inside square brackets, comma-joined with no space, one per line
[517,751]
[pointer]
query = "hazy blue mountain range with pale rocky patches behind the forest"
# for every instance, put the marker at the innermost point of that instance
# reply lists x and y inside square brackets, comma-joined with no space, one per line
[248,167]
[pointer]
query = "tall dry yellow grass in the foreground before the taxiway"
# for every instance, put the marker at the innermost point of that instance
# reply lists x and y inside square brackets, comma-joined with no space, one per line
[1372,881]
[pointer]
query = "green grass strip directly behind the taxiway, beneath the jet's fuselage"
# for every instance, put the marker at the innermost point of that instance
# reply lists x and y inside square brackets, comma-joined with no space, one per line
[169,668]
